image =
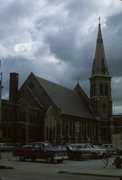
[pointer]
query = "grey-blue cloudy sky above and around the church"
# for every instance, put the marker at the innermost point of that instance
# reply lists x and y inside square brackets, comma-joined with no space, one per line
[56,39]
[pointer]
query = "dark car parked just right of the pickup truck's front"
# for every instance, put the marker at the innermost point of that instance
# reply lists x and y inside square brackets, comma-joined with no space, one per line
[75,153]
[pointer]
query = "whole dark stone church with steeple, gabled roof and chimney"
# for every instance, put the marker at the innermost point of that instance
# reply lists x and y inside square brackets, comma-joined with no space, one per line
[44,111]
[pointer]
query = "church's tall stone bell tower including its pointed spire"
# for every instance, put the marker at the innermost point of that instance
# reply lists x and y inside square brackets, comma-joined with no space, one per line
[100,91]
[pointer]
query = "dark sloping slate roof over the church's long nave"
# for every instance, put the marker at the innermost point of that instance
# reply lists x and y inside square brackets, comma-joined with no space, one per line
[66,99]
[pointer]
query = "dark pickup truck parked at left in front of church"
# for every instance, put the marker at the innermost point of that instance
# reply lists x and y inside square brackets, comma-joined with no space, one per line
[40,150]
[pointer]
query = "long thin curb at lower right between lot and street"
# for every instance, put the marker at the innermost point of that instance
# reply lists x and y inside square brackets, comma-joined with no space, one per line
[91,174]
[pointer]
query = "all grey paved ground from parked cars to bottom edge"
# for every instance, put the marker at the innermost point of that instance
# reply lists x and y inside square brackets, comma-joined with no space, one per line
[68,169]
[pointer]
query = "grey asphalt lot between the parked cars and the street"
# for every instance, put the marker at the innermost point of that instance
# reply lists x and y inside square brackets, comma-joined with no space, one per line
[94,168]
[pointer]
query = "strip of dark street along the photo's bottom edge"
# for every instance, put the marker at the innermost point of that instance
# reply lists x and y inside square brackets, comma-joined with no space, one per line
[19,175]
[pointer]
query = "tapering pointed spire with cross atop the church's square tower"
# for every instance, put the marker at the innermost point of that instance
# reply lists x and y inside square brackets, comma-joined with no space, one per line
[99,65]
